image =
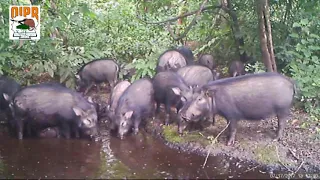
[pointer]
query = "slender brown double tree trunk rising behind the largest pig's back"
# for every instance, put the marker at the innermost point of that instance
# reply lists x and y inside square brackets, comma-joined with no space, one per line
[265,36]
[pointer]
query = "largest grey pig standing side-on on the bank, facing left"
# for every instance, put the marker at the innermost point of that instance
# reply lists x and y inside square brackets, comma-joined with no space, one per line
[249,97]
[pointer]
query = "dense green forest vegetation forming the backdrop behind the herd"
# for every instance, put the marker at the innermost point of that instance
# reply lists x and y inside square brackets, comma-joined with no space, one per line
[76,31]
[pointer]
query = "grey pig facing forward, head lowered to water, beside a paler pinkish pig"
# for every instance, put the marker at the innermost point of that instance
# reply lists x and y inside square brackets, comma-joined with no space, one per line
[135,104]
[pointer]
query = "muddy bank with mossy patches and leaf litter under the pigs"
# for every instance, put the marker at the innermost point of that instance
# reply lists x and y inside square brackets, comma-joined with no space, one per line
[296,152]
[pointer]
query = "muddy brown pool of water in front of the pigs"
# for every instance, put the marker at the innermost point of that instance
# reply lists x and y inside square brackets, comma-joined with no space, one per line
[138,156]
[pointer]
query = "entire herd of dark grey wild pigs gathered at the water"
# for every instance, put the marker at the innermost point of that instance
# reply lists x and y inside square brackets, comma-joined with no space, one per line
[194,88]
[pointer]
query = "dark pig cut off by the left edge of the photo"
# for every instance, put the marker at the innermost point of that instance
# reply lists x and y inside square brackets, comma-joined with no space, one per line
[8,87]
